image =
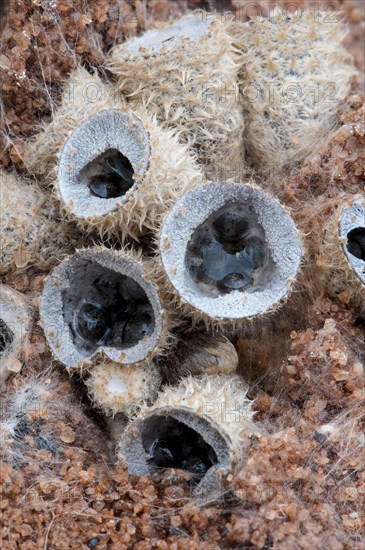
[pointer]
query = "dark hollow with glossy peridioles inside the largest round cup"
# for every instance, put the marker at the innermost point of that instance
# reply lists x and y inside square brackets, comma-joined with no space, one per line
[228,252]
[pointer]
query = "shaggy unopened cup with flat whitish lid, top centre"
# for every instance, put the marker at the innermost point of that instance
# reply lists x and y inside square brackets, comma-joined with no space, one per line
[186,74]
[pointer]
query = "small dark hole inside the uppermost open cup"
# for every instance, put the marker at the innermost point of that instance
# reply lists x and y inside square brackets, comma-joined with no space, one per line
[109,175]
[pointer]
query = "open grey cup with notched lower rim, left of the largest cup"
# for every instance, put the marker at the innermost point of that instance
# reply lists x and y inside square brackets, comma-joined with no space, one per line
[101,304]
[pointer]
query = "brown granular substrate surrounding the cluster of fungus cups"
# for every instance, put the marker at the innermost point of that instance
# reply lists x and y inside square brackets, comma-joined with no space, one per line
[303,484]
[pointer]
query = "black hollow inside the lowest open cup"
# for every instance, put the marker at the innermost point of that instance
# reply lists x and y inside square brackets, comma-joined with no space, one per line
[169,443]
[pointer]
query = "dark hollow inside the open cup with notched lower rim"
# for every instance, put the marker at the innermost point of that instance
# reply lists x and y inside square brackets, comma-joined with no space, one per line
[105,308]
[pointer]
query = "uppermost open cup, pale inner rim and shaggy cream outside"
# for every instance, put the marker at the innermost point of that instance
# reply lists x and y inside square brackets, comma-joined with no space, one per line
[119,171]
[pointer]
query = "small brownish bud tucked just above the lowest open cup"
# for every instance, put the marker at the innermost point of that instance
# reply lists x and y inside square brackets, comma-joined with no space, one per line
[198,353]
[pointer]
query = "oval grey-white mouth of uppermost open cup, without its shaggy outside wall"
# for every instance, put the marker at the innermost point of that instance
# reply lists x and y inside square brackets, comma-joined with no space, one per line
[102,162]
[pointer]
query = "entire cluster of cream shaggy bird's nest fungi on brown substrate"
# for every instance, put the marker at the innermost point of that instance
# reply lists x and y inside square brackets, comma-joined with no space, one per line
[125,164]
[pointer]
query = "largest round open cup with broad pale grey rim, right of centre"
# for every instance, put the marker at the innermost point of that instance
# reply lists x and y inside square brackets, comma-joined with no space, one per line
[230,252]
